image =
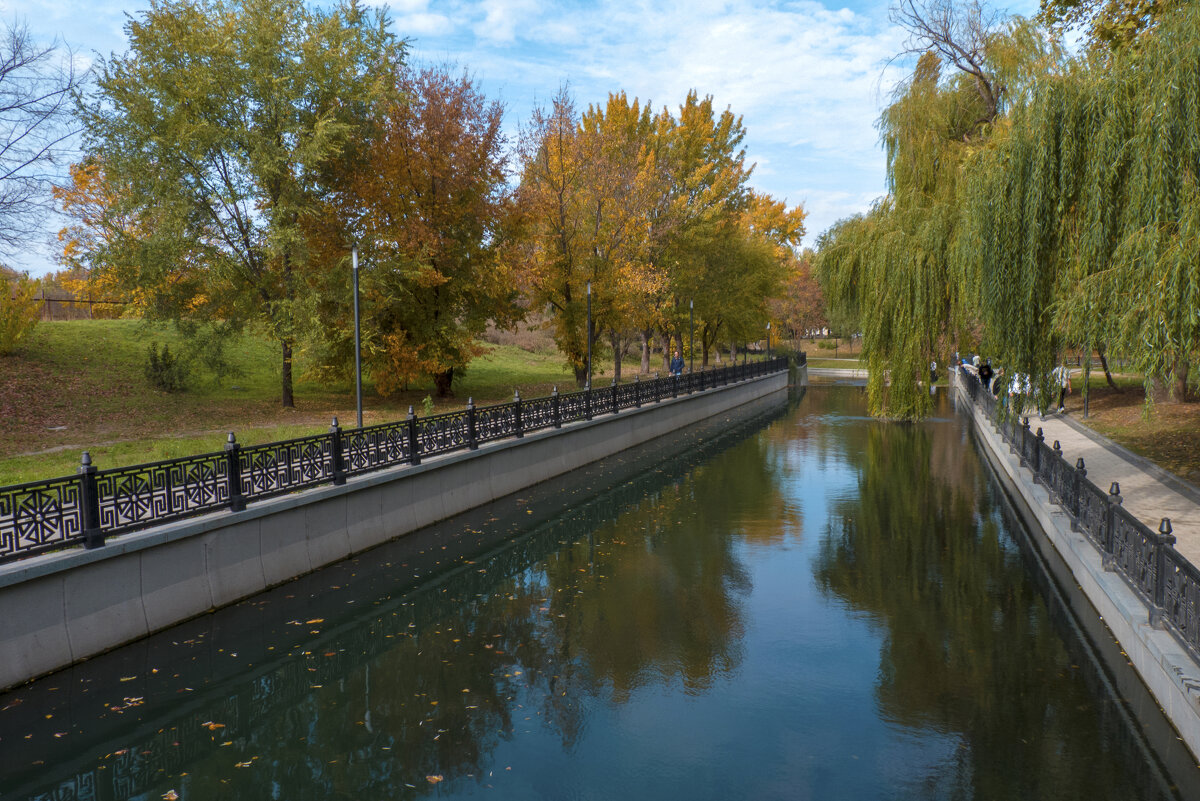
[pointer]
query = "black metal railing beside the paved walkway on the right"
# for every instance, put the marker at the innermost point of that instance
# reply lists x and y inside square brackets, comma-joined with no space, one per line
[1163,579]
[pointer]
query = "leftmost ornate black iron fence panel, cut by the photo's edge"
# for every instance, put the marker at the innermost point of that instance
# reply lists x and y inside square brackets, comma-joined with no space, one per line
[39,516]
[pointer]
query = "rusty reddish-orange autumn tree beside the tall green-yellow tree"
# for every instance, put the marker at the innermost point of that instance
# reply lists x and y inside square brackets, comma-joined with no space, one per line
[428,202]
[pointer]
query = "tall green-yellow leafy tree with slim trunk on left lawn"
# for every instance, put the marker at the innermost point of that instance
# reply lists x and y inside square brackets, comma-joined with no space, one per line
[220,125]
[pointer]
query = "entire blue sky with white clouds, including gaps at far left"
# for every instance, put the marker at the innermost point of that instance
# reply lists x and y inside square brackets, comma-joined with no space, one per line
[809,79]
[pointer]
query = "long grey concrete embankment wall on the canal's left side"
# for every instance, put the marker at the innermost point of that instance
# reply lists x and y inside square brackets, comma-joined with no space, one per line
[65,607]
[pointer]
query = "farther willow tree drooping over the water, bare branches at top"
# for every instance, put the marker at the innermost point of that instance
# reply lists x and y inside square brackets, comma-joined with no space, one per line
[898,269]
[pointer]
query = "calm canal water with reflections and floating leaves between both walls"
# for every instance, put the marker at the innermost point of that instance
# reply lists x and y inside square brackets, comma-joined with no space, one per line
[799,604]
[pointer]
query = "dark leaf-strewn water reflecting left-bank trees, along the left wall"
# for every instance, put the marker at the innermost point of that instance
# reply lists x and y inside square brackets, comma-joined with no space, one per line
[299,694]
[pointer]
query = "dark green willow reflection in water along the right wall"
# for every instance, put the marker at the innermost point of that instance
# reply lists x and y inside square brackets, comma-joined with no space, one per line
[969,648]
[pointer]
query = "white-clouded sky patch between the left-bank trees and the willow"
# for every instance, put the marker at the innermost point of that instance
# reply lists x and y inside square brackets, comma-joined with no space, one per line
[809,81]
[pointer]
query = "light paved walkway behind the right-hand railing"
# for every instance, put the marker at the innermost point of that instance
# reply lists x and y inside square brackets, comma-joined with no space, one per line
[1148,491]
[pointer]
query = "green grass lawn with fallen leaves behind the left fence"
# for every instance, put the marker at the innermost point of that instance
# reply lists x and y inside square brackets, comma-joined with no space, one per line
[81,386]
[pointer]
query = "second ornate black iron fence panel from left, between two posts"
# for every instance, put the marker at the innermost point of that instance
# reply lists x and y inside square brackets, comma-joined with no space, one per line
[145,495]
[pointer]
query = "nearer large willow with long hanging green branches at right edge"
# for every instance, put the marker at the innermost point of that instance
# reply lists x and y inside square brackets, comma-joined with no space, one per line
[1090,210]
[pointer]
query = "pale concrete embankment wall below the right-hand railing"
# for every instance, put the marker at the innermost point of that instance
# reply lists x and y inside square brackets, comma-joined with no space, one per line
[1166,667]
